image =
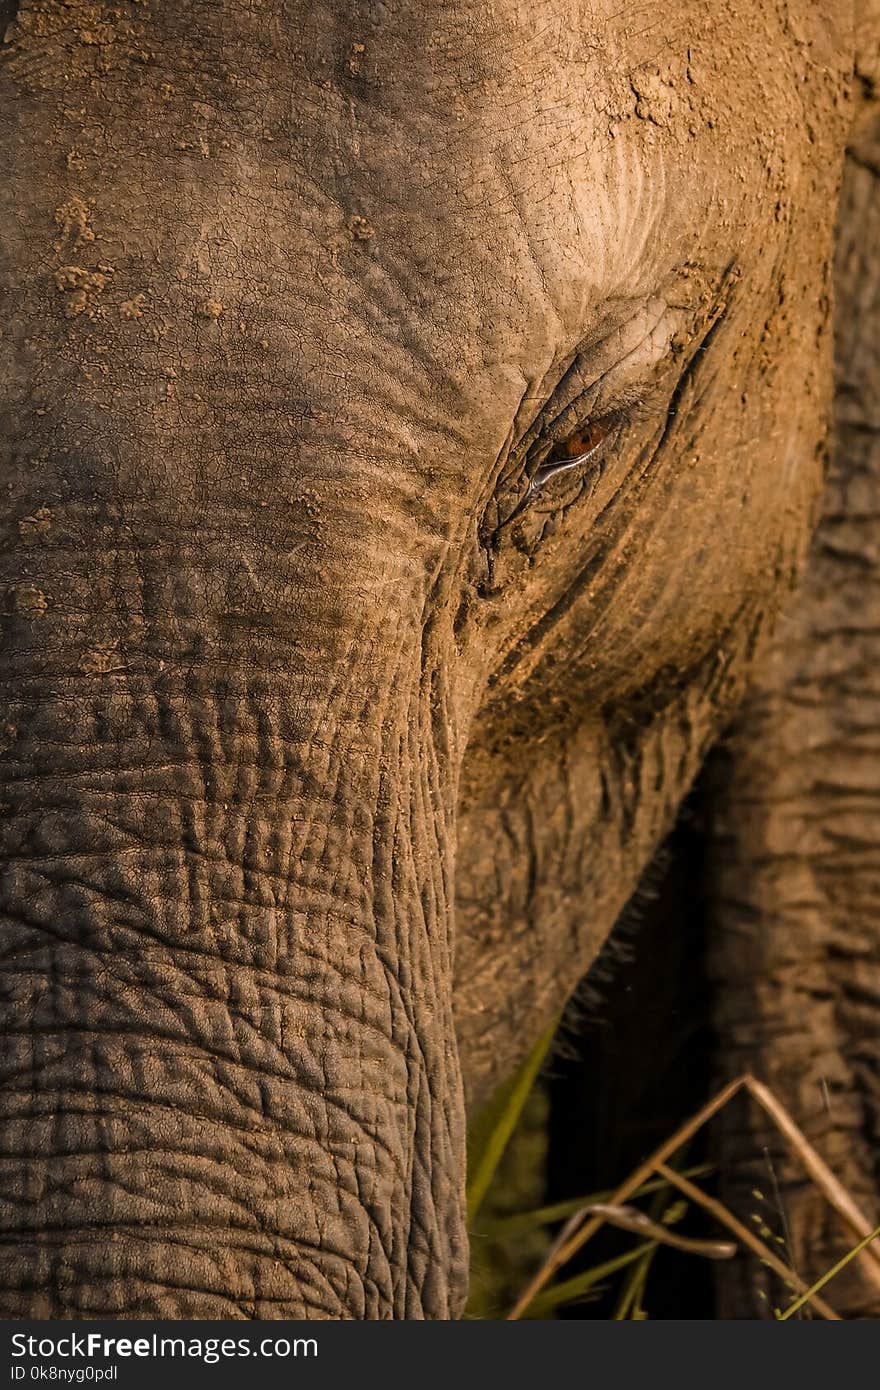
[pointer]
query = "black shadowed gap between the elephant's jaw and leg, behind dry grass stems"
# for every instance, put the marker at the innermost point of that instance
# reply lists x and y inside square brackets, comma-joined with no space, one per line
[640,1061]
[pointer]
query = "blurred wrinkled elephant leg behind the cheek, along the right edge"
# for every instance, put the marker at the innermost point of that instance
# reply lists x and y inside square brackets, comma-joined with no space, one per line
[796,883]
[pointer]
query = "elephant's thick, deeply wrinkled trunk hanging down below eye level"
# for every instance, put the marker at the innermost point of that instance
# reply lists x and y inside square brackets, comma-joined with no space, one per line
[230,1084]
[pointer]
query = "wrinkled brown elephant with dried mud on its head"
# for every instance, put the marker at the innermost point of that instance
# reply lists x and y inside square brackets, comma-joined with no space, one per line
[415,422]
